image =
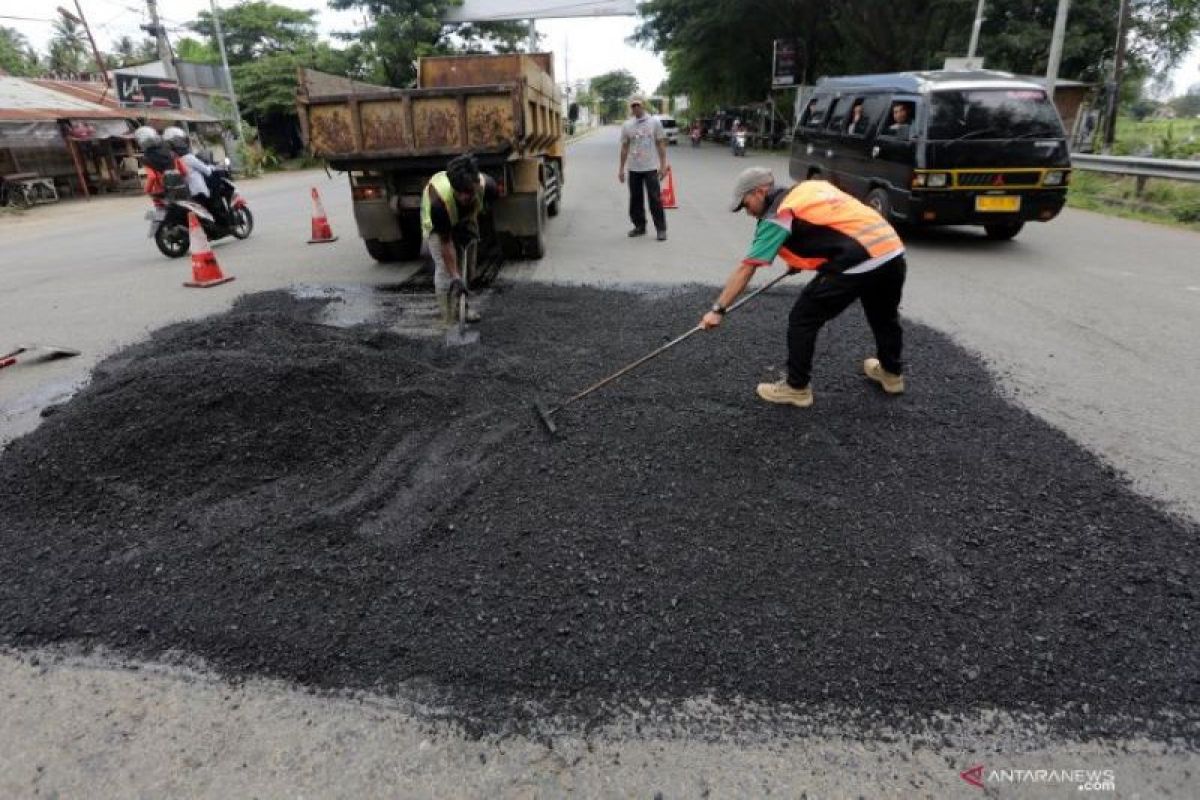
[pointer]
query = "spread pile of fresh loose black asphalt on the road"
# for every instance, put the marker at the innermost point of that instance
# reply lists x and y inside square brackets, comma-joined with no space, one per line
[350,509]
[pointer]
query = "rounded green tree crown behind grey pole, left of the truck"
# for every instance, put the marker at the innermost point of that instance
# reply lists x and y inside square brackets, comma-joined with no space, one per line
[254,29]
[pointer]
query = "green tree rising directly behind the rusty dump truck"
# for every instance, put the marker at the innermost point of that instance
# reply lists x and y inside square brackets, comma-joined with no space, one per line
[401,32]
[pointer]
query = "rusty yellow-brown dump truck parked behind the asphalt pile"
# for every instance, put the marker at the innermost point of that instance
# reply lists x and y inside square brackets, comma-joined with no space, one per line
[505,110]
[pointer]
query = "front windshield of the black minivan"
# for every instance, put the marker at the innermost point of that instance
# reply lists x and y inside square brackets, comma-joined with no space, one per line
[993,115]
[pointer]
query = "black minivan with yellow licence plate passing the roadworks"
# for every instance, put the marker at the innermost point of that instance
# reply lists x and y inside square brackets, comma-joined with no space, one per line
[939,148]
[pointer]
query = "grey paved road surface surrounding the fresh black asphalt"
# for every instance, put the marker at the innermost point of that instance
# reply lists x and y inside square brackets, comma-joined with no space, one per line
[1089,322]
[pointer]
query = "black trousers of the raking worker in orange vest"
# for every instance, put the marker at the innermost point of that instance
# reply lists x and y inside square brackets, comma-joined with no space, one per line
[827,296]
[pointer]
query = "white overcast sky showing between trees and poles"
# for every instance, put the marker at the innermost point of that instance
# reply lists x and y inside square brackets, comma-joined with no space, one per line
[592,46]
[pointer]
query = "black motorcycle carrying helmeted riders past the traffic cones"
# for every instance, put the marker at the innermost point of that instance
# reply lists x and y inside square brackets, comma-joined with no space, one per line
[169,219]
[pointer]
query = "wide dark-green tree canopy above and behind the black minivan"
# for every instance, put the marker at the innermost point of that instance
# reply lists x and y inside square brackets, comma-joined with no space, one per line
[861,37]
